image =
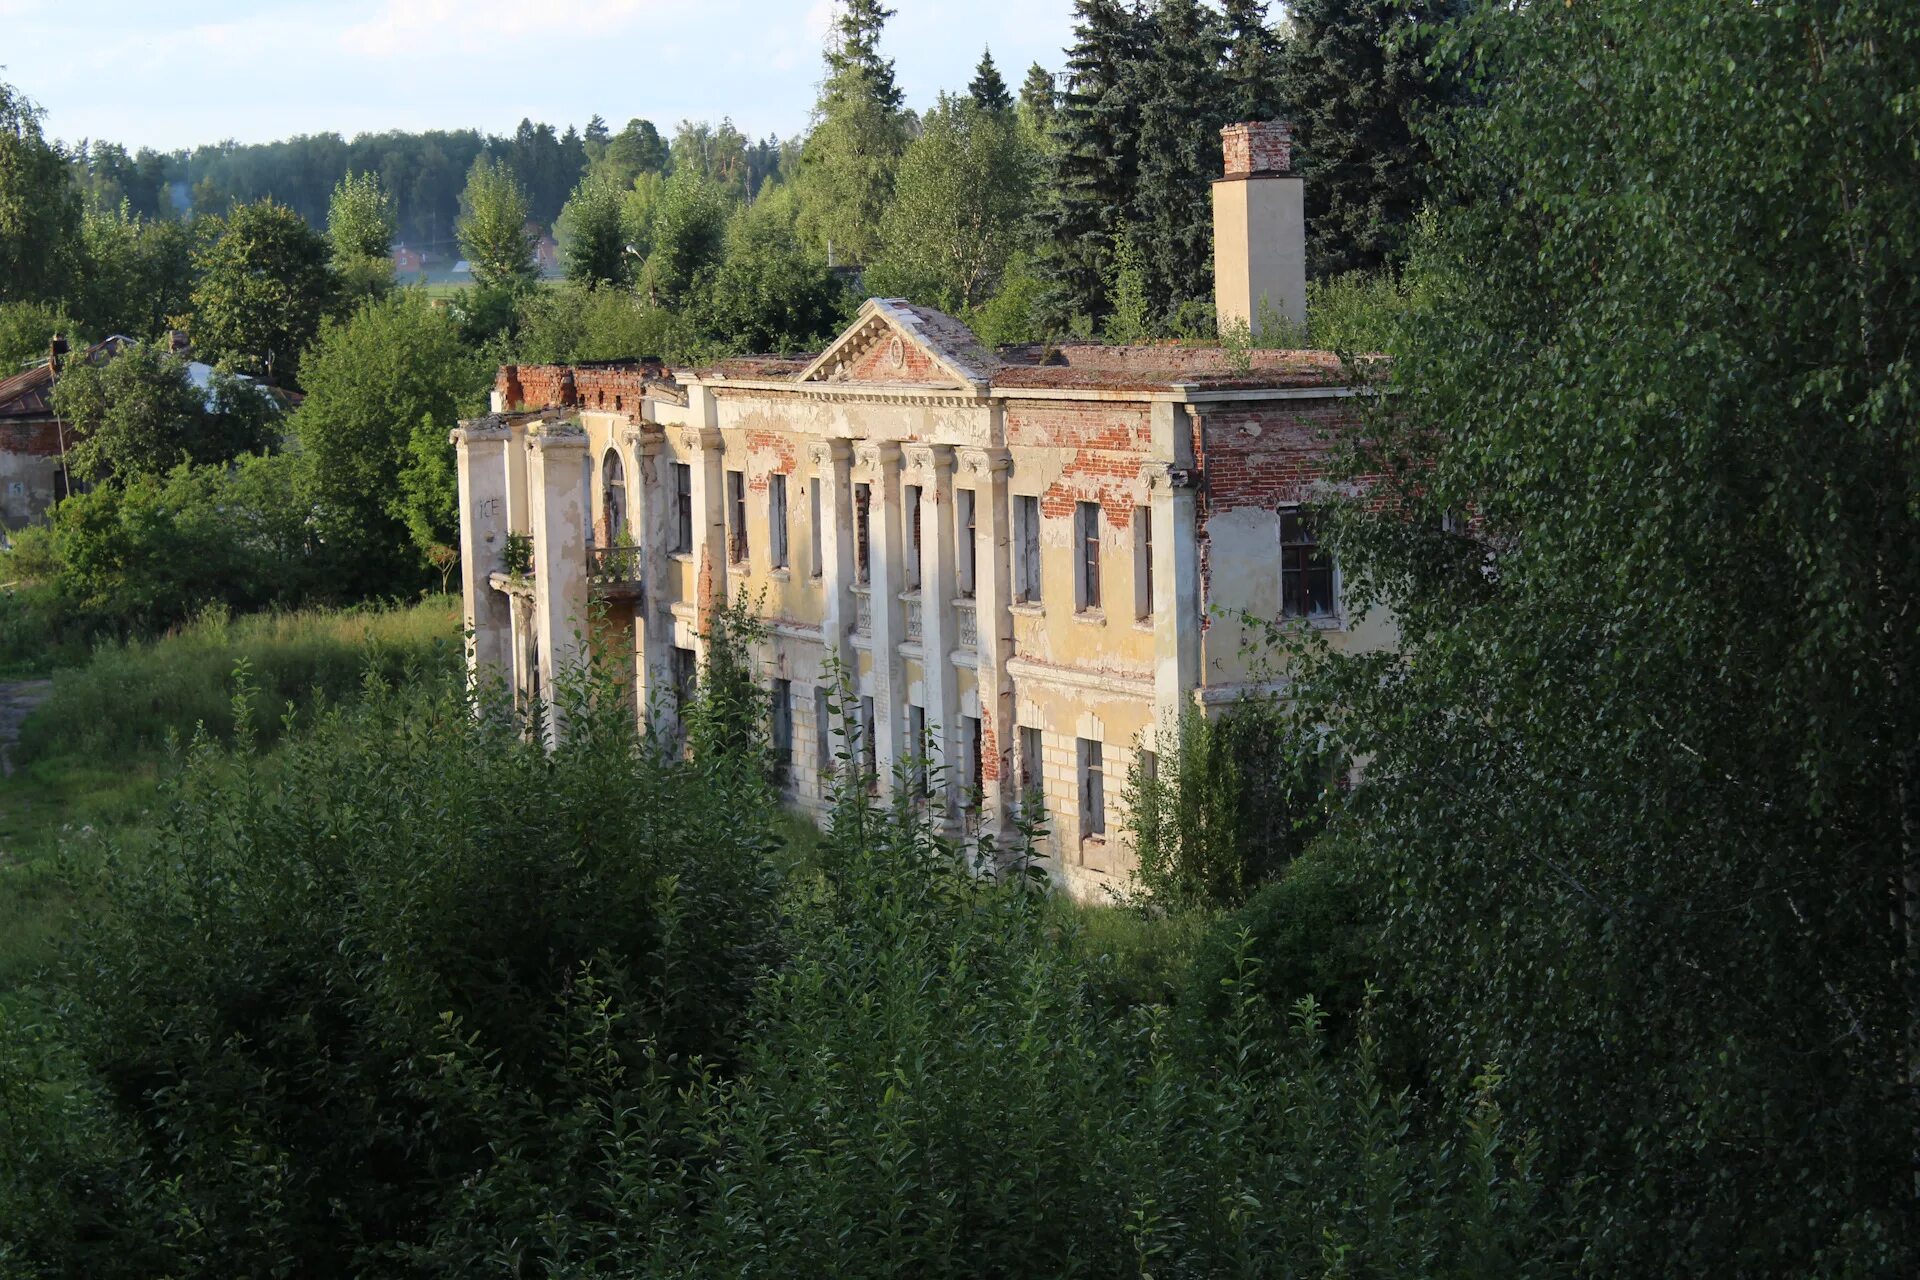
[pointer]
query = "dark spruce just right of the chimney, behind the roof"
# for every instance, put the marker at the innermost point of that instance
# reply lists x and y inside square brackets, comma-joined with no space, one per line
[1356,78]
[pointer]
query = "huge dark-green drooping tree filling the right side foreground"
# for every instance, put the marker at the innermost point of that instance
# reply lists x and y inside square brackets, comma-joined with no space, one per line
[1641,778]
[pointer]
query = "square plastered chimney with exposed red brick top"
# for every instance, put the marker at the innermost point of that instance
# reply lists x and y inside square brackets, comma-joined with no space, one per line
[1260,233]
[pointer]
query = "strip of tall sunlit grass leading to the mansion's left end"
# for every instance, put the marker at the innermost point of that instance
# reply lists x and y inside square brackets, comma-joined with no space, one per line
[133,696]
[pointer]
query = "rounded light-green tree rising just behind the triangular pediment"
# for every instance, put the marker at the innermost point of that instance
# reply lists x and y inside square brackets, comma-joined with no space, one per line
[959,206]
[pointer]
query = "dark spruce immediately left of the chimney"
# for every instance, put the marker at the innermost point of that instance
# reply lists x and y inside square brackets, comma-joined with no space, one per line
[1172,212]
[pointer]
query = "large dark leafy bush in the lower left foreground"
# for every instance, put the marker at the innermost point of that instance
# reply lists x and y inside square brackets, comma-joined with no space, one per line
[325,1012]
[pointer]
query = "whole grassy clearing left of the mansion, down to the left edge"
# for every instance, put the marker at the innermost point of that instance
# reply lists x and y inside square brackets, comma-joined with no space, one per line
[91,757]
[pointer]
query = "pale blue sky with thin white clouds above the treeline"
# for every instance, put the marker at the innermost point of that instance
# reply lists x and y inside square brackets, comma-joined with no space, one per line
[178,76]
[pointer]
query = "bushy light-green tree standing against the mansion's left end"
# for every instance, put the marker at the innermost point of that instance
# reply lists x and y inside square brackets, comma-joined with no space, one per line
[385,387]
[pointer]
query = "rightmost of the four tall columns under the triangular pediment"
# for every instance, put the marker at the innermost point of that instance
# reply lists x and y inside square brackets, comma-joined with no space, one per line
[994,623]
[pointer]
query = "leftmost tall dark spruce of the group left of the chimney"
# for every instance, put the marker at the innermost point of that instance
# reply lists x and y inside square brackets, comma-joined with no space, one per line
[1093,158]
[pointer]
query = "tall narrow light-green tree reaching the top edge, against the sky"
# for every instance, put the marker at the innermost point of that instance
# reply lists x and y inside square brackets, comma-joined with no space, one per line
[848,164]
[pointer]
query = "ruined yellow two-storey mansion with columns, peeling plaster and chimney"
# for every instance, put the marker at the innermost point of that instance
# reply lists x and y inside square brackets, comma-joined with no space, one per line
[1028,559]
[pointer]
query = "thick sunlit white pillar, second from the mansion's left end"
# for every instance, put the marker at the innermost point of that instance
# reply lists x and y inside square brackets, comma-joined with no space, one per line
[558,485]
